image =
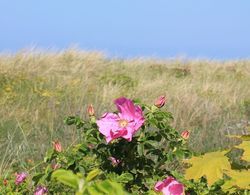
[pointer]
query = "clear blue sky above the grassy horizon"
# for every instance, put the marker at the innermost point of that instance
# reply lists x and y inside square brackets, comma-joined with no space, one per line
[217,29]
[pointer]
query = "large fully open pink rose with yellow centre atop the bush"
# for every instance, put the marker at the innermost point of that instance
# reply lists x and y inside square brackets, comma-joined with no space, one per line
[124,124]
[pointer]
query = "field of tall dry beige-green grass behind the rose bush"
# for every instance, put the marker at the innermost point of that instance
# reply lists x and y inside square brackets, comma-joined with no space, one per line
[39,89]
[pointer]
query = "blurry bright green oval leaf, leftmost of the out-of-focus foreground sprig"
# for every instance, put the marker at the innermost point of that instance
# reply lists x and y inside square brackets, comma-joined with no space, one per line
[66,177]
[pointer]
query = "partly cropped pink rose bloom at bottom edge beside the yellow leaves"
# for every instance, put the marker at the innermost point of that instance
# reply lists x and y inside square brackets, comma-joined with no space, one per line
[169,186]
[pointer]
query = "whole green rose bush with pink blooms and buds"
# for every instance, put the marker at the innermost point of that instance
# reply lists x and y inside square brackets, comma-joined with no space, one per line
[131,150]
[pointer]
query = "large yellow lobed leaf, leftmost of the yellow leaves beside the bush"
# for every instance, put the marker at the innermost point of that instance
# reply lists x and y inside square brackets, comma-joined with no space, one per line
[211,165]
